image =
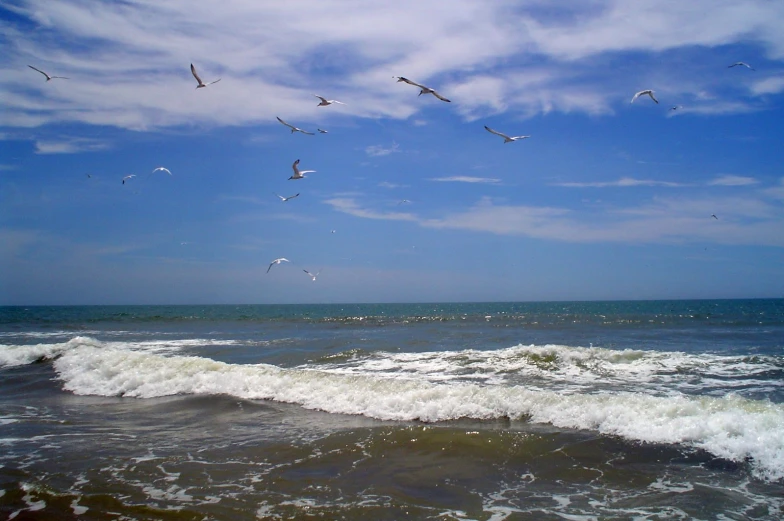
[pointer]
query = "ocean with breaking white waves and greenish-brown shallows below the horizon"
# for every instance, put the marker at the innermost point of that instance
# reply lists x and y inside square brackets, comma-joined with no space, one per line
[647,410]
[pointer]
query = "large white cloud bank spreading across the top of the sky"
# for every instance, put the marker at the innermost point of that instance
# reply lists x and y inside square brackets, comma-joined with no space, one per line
[128,62]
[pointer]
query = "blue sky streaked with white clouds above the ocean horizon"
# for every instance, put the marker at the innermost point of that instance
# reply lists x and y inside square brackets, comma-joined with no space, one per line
[606,200]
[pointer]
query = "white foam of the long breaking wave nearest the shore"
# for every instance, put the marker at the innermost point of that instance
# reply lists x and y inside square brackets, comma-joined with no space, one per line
[731,427]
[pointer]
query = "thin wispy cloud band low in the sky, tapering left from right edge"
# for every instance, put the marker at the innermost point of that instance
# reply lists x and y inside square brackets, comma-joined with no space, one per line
[662,220]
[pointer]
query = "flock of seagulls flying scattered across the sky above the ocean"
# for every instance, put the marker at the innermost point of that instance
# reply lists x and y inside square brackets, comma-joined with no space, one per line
[323,102]
